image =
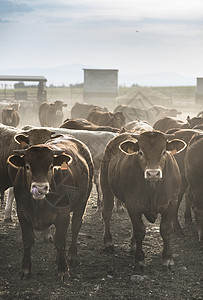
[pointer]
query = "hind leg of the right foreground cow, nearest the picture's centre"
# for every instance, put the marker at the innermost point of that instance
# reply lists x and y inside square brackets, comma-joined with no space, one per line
[107,208]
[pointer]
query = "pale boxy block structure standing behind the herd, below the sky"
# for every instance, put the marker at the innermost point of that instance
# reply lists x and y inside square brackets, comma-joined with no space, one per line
[100,86]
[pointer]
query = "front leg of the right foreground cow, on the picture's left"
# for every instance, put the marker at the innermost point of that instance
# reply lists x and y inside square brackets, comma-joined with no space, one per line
[138,234]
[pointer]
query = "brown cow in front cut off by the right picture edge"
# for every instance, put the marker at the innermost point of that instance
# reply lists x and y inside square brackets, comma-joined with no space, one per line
[194,174]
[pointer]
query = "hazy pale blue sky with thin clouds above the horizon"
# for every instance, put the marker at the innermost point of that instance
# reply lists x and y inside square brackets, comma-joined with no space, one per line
[134,36]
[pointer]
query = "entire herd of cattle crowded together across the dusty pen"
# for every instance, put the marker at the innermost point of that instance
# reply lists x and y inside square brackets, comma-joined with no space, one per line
[146,160]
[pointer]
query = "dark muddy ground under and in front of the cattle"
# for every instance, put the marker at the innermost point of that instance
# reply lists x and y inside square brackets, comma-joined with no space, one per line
[100,275]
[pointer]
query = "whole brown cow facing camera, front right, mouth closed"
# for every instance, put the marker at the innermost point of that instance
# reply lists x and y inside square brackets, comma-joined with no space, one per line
[142,173]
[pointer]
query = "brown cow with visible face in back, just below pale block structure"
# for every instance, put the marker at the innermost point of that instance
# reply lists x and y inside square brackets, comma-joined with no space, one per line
[116,120]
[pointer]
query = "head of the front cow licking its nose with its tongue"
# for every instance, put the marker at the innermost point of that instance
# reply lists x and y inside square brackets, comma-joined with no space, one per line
[38,163]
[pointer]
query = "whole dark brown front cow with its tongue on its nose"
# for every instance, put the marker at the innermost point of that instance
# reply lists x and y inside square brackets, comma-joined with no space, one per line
[45,195]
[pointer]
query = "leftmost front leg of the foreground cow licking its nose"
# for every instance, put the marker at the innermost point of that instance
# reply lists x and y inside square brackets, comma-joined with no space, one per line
[28,241]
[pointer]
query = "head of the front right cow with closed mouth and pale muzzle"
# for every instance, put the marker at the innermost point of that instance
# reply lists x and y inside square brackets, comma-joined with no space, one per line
[152,148]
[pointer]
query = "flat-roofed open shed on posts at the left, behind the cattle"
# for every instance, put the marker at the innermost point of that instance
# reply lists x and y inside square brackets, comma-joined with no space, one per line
[28,96]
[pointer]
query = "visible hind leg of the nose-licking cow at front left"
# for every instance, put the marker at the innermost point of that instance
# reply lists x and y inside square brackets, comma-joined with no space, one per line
[75,228]
